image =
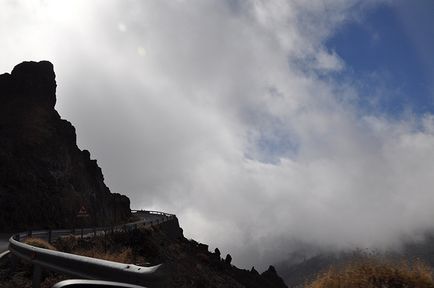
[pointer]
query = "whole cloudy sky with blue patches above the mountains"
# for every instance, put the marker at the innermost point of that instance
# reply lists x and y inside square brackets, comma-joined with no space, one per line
[266,126]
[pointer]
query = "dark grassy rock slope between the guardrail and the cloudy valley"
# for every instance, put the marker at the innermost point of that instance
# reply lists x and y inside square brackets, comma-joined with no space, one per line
[189,263]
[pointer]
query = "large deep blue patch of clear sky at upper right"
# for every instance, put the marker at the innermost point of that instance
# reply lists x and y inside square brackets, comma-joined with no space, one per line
[389,55]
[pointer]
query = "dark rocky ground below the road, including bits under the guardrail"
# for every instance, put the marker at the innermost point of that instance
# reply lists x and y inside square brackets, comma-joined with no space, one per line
[187,263]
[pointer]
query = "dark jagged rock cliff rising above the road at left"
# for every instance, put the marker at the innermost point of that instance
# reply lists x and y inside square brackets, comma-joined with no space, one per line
[44,177]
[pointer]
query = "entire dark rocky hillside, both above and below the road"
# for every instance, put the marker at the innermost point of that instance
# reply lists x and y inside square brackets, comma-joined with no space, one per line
[45,179]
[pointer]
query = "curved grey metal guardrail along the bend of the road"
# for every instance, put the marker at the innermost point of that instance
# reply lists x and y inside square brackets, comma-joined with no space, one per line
[87,267]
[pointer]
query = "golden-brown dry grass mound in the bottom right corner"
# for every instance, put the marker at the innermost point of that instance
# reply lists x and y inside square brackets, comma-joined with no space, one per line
[373,273]
